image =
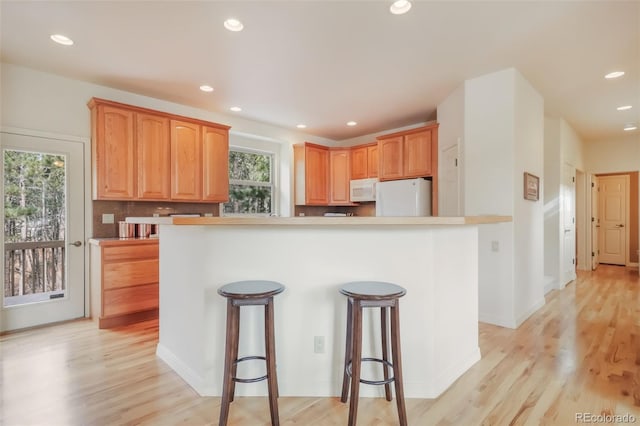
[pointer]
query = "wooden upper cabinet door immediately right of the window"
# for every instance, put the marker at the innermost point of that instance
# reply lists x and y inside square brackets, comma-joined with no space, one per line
[316,175]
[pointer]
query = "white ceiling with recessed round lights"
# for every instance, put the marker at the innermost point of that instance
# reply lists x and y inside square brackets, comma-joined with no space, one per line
[324,63]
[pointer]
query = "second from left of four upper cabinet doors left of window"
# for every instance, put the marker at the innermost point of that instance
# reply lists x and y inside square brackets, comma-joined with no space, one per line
[154,157]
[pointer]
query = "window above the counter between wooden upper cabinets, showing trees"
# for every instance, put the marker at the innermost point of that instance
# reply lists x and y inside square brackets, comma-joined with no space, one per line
[251,183]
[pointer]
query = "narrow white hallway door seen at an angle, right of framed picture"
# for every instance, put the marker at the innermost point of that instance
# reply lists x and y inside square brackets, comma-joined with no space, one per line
[568,225]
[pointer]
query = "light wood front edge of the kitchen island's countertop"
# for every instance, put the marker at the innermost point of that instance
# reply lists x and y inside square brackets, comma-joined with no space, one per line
[342,221]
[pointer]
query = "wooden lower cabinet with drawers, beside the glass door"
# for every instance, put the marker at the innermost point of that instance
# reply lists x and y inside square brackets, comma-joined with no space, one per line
[124,281]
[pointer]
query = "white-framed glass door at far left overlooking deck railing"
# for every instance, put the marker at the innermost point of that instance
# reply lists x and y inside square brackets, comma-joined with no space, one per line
[43,211]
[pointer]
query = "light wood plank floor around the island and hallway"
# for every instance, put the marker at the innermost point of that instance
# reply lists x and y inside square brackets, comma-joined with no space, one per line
[580,353]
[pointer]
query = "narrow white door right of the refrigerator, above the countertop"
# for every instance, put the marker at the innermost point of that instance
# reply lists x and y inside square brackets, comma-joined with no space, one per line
[448,183]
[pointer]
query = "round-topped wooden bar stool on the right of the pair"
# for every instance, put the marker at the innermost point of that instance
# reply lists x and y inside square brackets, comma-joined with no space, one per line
[372,294]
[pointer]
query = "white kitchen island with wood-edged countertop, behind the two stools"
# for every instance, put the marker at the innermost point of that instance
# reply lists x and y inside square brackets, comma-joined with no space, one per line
[434,258]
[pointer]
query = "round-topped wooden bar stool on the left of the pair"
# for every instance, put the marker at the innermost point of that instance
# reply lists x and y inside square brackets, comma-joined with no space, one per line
[248,293]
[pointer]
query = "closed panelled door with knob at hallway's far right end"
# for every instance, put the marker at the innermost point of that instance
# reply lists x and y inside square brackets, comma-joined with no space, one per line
[613,219]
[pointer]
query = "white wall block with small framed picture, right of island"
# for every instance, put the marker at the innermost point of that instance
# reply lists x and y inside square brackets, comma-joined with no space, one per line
[503,138]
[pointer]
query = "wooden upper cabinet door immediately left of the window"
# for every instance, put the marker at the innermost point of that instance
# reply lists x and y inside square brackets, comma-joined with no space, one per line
[215,164]
